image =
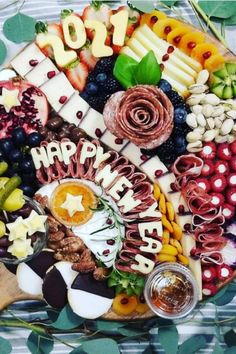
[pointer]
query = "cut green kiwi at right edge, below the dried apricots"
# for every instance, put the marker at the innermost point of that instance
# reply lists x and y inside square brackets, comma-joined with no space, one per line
[223,81]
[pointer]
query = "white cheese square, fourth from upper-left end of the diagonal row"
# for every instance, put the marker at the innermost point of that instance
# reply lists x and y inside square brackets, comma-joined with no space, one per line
[75,109]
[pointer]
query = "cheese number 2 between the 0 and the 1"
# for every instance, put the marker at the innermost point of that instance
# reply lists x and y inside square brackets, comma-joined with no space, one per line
[99,49]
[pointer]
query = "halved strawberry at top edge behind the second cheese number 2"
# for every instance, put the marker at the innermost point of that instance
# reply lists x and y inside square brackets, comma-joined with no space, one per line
[97,11]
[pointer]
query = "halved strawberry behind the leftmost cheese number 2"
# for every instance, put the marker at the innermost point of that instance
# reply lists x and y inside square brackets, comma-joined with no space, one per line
[53,28]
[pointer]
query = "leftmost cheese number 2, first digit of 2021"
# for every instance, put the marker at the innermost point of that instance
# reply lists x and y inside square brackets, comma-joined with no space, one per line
[62,57]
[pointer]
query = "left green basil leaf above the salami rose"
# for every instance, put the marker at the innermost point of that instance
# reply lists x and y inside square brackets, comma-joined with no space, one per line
[124,70]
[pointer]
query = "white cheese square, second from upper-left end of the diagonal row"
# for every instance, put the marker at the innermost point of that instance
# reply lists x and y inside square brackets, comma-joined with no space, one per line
[39,74]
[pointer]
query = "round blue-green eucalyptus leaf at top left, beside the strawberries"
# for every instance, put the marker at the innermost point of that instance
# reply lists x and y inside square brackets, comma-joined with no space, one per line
[19,28]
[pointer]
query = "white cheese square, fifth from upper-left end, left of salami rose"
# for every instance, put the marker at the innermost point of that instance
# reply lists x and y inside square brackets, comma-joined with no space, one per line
[93,124]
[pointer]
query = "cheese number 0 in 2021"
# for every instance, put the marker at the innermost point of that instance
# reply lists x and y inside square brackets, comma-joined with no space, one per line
[80,33]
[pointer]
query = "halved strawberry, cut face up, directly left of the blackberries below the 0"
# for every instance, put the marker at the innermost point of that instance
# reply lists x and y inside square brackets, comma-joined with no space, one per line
[77,74]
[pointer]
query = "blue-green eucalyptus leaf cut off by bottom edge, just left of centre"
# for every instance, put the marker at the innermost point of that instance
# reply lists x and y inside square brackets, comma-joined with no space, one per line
[101,346]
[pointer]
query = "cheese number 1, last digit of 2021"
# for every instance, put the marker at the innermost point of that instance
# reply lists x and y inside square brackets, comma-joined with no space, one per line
[120,22]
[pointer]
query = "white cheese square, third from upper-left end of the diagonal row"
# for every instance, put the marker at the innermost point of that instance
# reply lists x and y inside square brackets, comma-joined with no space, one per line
[58,90]
